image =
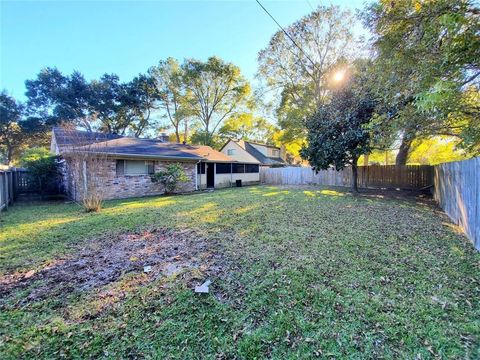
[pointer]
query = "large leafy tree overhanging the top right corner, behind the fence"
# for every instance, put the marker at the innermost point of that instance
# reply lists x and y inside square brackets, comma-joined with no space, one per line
[427,59]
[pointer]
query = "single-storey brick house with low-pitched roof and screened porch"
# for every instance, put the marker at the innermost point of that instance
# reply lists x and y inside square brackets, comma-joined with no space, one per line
[122,166]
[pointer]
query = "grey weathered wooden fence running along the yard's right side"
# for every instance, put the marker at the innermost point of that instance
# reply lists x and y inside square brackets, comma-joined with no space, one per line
[457,191]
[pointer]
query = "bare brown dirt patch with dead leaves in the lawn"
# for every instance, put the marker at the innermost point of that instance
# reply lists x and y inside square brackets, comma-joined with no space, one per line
[156,253]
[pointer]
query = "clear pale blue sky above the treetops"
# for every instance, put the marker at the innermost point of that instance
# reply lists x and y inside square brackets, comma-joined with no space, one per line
[127,37]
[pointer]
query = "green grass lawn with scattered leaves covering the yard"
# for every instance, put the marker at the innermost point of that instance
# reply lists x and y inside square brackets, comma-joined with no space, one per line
[304,272]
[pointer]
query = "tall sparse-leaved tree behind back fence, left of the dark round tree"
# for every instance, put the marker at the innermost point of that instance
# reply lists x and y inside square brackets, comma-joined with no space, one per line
[300,78]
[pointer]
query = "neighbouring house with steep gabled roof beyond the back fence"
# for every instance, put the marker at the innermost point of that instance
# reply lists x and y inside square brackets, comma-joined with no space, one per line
[248,151]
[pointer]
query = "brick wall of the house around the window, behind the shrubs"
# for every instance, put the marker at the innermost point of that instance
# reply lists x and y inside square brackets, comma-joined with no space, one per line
[102,173]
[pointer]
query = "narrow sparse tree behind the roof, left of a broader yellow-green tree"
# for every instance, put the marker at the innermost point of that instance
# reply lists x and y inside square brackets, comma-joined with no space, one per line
[168,78]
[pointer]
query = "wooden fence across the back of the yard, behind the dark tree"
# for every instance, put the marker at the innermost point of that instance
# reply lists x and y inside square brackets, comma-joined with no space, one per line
[390,176]
